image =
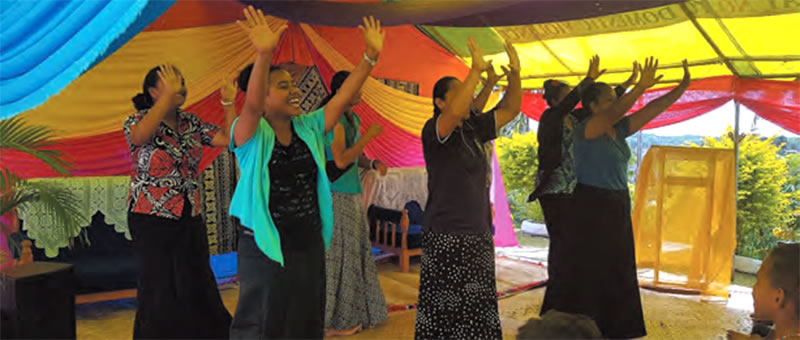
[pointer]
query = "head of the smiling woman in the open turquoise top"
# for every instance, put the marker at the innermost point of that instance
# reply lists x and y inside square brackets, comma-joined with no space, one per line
[283,97]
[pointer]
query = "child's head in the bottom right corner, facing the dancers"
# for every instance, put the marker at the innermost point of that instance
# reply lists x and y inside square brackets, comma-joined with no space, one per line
[776,294]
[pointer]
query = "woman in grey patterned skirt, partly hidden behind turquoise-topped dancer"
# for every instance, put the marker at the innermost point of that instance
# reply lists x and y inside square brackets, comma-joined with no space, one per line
[355,299]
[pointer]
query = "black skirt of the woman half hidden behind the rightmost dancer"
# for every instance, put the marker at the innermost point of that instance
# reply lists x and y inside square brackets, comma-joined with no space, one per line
[559,212]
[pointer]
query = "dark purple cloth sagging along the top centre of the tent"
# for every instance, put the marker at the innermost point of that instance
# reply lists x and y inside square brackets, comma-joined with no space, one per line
[450,13]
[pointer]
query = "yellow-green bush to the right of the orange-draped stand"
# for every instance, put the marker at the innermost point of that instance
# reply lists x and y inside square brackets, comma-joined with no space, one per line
[763,206]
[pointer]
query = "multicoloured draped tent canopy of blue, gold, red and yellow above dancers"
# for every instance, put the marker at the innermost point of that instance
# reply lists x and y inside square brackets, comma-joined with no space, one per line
[731,45]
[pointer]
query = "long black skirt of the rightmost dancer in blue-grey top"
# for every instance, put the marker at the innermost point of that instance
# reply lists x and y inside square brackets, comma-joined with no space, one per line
[600,269]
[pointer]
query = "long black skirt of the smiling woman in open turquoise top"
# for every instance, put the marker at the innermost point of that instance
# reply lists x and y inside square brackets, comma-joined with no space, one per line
[278,302]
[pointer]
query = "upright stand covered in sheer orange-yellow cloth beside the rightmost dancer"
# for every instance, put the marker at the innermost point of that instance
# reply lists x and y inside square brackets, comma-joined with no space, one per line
[684,218]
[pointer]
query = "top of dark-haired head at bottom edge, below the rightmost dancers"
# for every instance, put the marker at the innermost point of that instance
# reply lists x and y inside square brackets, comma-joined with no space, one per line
[558,325]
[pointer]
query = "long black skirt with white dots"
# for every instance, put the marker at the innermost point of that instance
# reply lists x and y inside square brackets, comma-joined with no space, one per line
[457,288]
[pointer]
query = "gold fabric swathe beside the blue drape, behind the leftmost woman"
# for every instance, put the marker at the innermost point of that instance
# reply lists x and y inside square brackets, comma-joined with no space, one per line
[100,100]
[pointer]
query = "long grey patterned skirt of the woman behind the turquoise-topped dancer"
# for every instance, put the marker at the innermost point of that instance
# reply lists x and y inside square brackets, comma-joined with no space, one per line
[354,295]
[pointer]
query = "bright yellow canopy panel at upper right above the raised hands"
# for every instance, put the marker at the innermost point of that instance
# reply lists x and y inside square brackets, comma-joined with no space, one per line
[748,38]
